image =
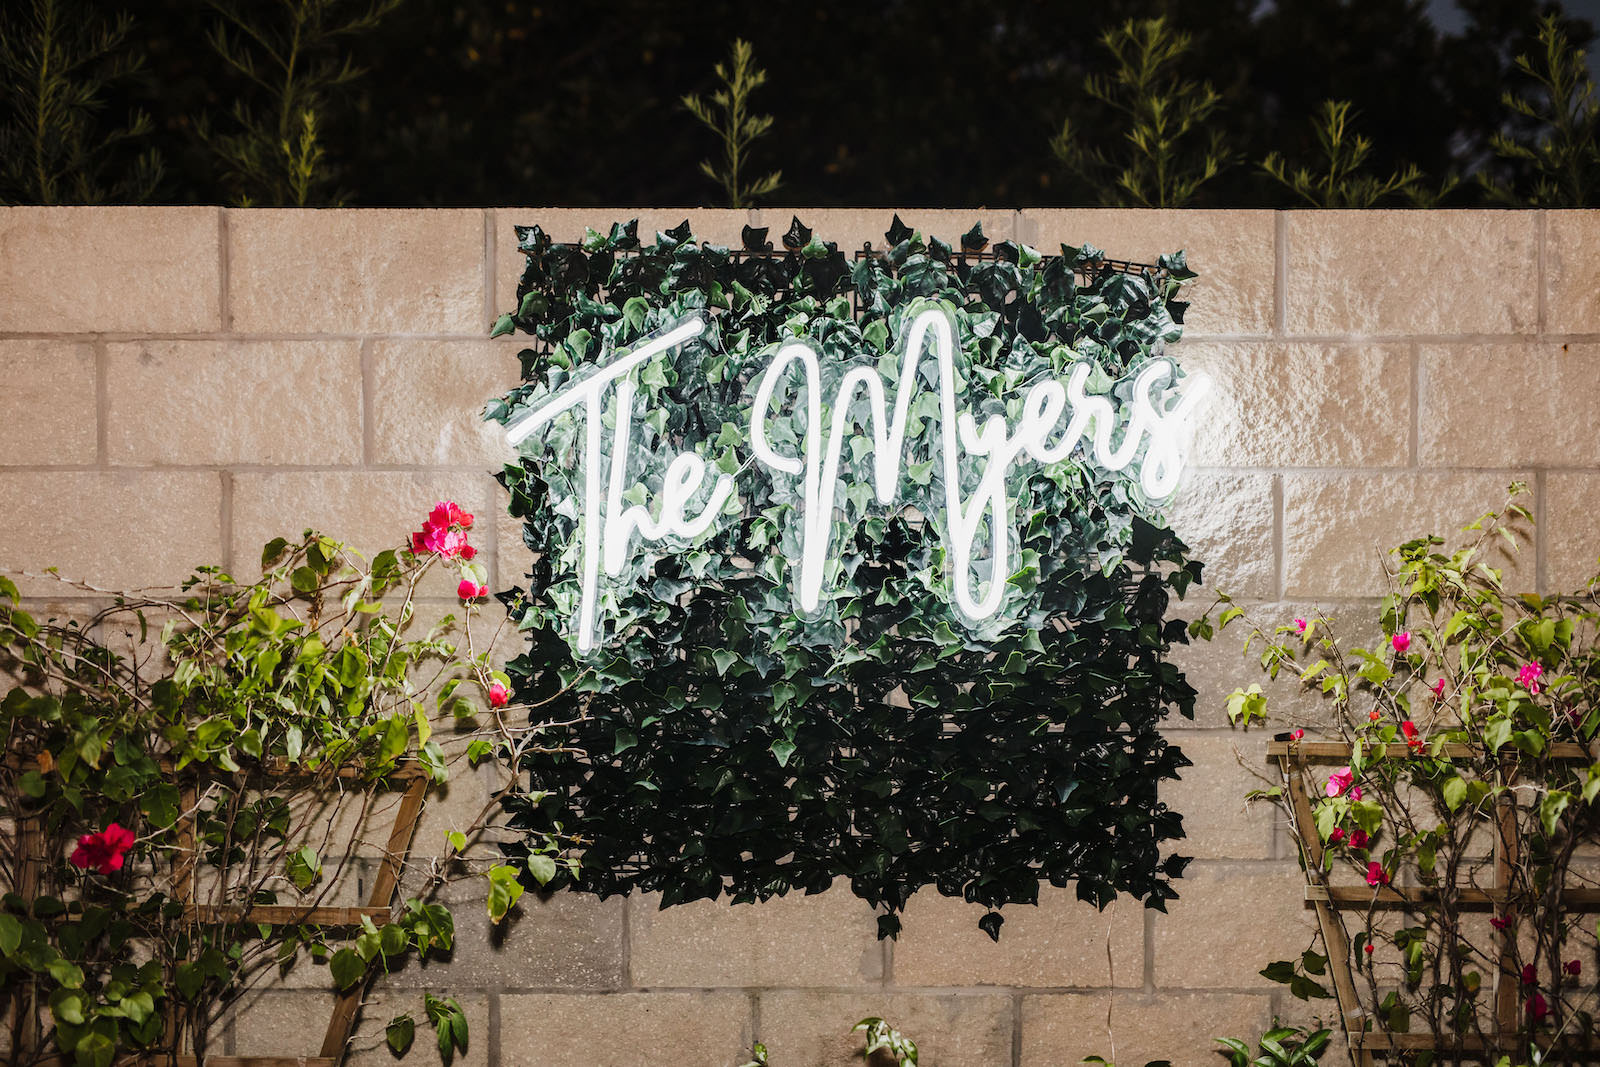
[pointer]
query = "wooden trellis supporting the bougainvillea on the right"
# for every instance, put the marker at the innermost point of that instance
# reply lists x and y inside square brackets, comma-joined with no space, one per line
[1327,900]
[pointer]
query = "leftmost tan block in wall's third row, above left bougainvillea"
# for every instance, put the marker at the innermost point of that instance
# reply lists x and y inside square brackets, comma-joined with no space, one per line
[116,530]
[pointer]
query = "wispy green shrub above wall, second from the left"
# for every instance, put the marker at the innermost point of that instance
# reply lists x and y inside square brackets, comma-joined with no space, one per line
[294,55]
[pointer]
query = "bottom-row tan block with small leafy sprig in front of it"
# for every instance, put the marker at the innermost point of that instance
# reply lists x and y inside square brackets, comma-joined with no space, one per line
[814,1029]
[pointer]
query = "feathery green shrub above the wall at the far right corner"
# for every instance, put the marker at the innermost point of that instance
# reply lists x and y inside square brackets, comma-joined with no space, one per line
[1564,156]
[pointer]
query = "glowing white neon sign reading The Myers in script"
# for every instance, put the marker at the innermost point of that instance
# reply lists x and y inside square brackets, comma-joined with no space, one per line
[1150,433]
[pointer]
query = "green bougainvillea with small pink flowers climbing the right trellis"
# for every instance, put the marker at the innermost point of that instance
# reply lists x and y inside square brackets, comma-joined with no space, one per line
[1474,719]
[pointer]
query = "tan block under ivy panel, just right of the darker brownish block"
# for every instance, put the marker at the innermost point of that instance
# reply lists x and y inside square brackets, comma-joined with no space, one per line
[822,940]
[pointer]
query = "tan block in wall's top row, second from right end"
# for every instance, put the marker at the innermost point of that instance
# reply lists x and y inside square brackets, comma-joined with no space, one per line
[1412,273]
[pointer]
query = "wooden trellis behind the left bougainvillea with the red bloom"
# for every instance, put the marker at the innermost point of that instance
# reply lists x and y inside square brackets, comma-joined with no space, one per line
[378,908]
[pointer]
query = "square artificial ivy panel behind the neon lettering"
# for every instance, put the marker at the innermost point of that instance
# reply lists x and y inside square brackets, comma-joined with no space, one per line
[721,741]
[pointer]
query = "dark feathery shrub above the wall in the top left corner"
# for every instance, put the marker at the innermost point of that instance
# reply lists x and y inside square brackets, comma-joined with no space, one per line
[58,65]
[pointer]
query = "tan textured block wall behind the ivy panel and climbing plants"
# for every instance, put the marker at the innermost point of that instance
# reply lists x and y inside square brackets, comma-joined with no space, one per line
[183,385]
